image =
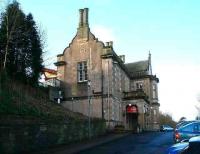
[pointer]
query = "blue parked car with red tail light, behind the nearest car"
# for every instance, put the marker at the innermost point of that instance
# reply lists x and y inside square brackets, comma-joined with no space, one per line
[187,131]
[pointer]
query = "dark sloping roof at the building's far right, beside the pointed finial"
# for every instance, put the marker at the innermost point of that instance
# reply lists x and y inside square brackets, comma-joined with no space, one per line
[139,66]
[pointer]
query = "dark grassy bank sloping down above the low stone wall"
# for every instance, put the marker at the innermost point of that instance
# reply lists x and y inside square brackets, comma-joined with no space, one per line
[23,100]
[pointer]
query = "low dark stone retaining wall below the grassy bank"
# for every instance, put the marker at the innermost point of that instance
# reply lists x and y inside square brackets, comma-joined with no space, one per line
[20,136]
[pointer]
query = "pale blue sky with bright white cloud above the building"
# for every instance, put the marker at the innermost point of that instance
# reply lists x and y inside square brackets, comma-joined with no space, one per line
[169,29]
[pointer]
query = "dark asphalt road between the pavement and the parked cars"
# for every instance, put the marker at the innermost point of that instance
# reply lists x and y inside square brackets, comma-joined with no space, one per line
[145,143]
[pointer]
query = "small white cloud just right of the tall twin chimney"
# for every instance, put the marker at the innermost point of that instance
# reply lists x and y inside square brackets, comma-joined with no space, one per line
[103,33]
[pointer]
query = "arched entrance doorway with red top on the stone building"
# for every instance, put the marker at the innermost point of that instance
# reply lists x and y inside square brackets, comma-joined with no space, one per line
[132,117]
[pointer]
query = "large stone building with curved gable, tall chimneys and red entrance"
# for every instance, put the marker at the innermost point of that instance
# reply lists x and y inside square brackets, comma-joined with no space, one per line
[98,83]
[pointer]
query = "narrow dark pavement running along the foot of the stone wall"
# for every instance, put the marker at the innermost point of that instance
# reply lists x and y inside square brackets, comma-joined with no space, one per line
[81,146]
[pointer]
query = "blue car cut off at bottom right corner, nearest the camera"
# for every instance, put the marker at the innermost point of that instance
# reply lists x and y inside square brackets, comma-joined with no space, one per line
[191,146]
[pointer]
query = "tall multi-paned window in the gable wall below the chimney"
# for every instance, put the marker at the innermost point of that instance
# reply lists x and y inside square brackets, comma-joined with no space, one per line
[82,71]
